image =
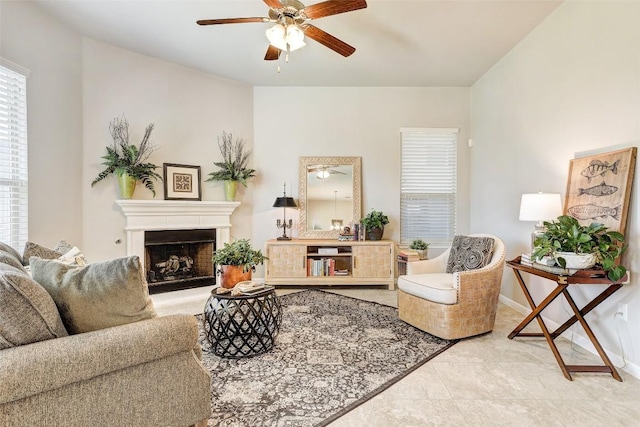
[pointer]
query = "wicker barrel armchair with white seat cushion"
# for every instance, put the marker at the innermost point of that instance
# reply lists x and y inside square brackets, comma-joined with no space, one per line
[451,306]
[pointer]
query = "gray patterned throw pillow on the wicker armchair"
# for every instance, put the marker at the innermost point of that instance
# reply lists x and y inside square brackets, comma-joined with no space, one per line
[469,253]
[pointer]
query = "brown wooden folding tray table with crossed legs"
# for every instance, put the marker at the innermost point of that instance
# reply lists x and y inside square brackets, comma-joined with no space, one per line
[580,278]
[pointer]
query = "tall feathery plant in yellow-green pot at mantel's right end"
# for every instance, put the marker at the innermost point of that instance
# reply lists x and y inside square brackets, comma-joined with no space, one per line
[234,165]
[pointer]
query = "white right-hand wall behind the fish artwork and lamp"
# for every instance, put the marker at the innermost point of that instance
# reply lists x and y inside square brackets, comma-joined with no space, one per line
[570,86]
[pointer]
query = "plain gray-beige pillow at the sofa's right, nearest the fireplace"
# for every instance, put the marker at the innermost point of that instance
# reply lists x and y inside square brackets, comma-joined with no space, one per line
[96,296]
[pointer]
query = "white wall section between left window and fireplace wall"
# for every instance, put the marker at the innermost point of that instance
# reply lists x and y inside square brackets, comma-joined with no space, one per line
[31,38]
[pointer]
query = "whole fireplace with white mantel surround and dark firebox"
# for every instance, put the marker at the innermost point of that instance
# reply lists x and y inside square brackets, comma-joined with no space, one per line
[153,223]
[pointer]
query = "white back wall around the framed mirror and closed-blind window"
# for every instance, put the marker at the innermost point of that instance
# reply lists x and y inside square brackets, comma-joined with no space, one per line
[291,122]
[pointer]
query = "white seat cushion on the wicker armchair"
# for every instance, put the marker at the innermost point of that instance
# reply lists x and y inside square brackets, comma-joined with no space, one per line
[436,287]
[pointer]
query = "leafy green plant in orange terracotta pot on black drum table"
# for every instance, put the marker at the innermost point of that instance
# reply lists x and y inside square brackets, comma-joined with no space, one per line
[236,261]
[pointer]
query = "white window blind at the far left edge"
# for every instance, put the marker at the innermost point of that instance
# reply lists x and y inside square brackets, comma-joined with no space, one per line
[13,156]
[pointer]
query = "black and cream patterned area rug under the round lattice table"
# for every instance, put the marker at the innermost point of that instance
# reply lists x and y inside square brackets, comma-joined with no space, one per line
[332,354]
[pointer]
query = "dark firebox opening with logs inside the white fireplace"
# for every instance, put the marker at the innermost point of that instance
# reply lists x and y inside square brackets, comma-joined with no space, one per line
[179,259]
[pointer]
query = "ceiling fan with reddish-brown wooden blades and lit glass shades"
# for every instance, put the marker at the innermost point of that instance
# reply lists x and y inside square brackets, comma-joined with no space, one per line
[292,19]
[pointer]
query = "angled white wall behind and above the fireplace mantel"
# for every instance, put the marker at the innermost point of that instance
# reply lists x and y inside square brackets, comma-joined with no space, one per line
[190,110]
